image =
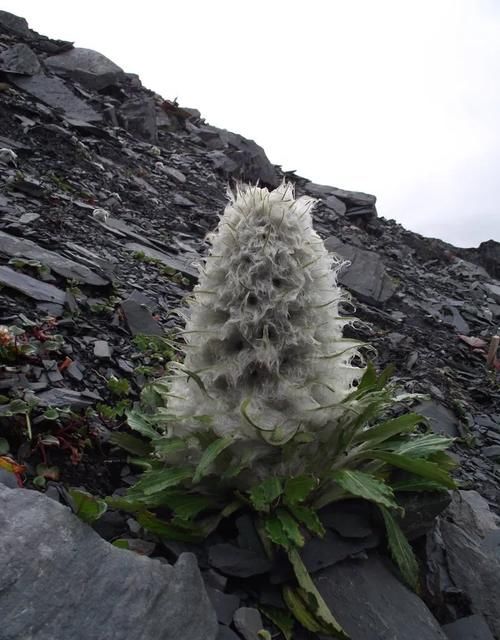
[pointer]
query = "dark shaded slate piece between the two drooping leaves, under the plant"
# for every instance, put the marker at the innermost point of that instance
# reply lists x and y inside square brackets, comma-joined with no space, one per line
[319,553]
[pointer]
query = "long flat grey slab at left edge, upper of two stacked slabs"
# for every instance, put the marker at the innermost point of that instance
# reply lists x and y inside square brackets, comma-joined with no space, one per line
[21,248]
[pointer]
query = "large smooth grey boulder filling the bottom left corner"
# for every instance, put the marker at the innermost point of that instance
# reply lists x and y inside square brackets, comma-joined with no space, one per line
[60,580]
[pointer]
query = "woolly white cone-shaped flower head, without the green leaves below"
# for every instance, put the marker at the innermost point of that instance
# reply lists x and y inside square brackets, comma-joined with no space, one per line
[263,332]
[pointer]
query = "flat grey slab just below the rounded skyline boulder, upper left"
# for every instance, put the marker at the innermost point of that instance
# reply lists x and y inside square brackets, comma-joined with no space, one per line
[55,93]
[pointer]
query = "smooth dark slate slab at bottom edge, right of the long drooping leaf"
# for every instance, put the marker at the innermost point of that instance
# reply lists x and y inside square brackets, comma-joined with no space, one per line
[370,603]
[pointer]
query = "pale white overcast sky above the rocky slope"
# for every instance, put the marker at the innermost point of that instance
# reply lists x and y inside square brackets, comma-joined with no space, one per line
[398,98]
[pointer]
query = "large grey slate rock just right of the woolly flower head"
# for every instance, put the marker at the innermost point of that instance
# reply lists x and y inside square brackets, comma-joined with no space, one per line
[366,276]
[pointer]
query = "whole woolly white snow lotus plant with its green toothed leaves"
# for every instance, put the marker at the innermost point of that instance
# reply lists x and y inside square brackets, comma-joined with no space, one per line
[269,408]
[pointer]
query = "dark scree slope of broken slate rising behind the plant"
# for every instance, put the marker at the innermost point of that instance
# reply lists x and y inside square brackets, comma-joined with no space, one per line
[106,193]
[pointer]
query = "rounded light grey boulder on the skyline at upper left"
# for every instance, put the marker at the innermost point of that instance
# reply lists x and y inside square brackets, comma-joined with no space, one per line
[86,66]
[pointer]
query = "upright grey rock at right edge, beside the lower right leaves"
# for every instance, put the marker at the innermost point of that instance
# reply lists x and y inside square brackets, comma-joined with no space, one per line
[463,556]
